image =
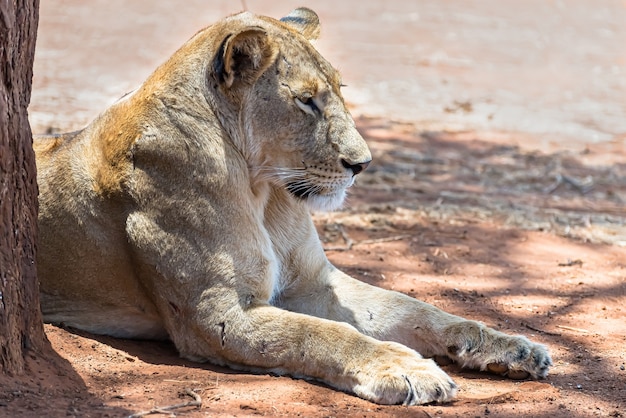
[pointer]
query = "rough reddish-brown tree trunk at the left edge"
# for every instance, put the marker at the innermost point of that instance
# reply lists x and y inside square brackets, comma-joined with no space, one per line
[21,328]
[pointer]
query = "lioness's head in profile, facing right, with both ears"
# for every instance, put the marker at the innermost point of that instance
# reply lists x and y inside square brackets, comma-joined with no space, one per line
[296,130]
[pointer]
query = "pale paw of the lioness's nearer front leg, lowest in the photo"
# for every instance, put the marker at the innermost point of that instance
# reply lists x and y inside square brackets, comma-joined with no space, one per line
[399,375]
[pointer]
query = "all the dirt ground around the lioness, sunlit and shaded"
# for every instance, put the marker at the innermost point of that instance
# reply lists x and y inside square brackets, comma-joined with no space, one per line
[497,192]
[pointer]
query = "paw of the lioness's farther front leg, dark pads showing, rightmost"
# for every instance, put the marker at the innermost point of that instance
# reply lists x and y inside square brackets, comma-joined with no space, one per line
[476,346]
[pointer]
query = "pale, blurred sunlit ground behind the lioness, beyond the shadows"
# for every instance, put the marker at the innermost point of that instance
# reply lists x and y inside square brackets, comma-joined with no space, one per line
[553,69]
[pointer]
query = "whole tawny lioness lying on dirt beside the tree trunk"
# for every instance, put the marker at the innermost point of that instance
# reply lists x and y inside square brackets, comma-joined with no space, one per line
[182,212]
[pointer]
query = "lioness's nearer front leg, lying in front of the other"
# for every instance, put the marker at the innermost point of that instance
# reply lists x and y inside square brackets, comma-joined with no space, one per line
[260,337]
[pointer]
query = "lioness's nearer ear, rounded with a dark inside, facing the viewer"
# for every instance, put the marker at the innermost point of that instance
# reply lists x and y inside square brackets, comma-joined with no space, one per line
[243,57]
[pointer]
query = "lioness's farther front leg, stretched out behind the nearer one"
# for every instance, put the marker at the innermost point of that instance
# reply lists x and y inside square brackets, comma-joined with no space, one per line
[388,315]
